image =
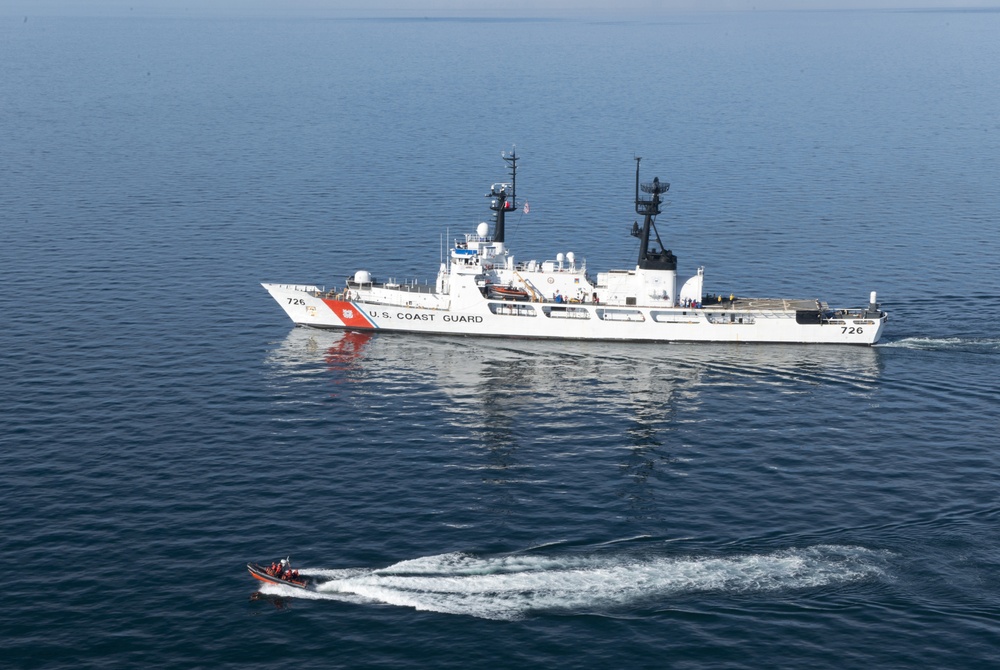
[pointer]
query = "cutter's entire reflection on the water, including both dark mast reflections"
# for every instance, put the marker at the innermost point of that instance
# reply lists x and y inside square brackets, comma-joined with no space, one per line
[525,403]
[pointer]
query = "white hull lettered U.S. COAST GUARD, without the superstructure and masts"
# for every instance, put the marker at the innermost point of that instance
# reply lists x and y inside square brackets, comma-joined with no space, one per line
[746,320]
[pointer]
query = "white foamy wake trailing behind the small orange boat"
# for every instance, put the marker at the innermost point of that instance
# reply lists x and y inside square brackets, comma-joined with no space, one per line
[511,587]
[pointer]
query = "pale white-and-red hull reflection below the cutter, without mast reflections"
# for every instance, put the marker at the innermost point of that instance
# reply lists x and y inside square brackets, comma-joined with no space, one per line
[478,373]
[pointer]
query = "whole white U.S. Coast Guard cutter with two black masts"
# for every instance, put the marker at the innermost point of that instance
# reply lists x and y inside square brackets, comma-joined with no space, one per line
[483,290]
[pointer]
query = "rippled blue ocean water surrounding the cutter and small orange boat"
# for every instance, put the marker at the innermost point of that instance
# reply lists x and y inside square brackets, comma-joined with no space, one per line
[478,502]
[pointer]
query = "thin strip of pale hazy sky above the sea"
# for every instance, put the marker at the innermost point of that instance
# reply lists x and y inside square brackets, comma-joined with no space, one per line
[446,8]
